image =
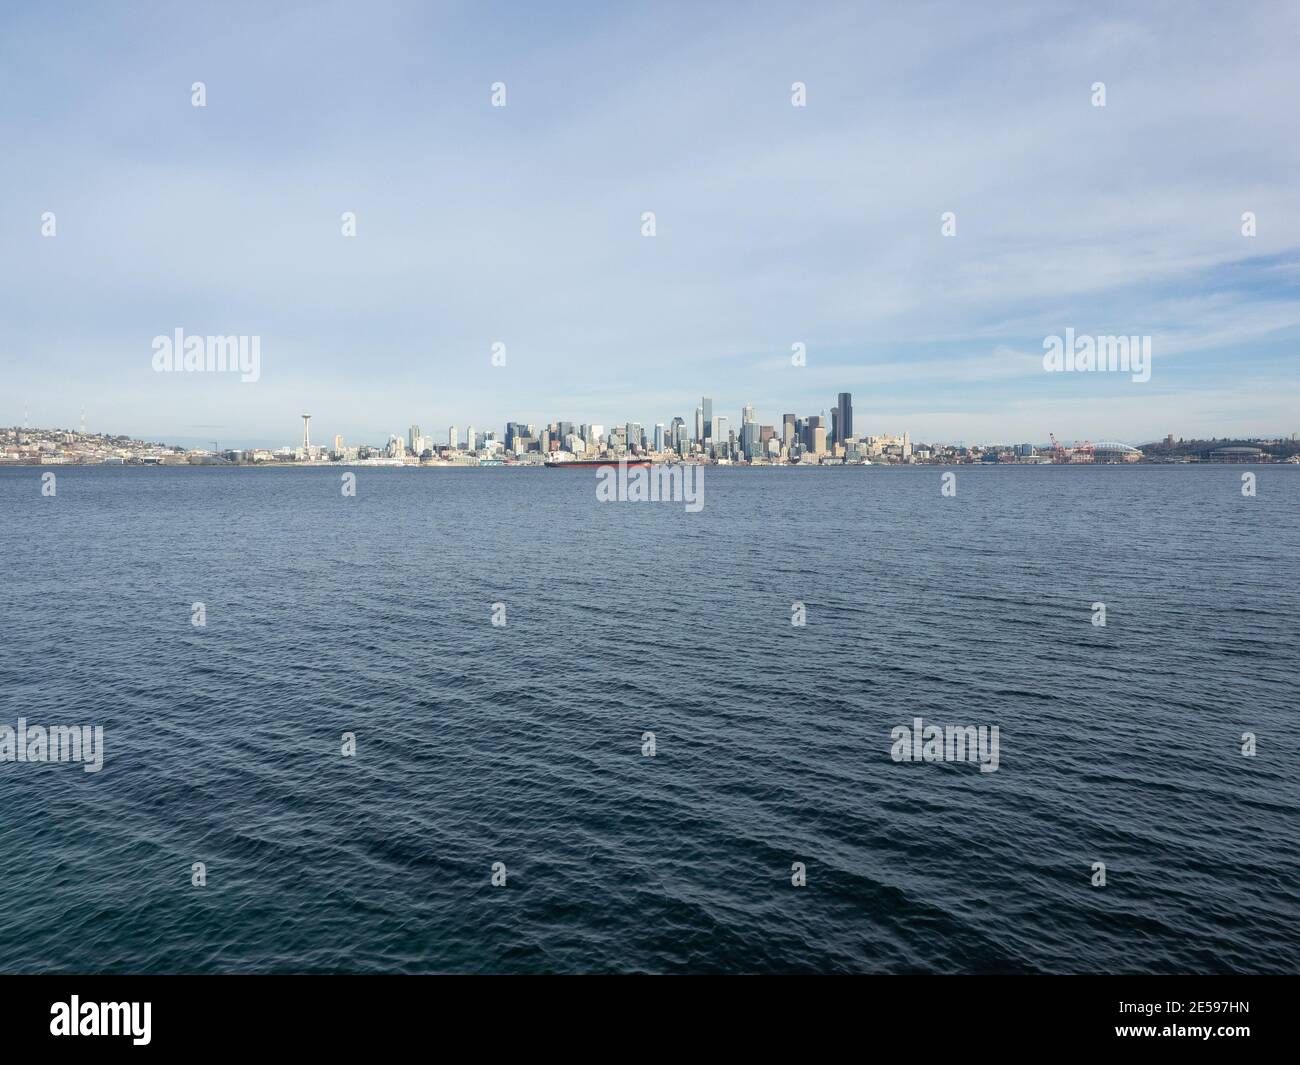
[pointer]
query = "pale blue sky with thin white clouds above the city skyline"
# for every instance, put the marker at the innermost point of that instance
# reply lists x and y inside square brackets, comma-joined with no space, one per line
[775,226]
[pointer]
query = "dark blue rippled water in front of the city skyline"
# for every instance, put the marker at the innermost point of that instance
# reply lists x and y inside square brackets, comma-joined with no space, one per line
[523,744]
